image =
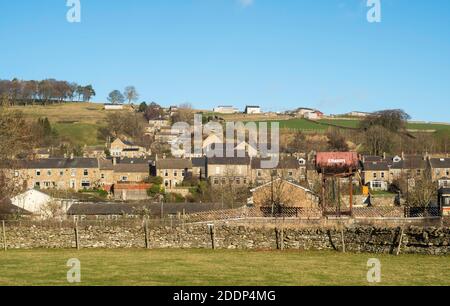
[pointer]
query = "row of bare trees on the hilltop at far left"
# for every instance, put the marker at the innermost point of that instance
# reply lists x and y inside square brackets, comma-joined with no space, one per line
[48,91]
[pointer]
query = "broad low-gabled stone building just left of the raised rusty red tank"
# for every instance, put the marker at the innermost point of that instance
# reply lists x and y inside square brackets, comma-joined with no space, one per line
[284,193]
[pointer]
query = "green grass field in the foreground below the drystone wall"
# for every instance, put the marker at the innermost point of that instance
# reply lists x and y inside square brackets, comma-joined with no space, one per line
[221,267]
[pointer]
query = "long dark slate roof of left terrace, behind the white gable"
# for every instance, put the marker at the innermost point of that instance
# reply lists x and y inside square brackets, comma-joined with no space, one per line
[60,163]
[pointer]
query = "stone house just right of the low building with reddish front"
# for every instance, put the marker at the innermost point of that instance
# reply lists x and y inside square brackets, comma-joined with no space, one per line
[172,171]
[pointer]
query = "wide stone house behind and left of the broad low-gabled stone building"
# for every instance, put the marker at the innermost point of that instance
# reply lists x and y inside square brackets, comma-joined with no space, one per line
[225,170]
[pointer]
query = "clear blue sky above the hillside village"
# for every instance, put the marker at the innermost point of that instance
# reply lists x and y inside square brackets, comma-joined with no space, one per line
[279,54]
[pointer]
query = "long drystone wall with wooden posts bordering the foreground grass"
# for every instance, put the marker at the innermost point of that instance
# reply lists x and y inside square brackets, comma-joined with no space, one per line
[357,238]
